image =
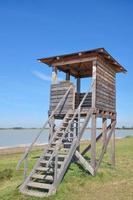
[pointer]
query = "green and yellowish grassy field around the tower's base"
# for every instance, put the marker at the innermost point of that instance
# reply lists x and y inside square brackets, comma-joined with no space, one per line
[109,183]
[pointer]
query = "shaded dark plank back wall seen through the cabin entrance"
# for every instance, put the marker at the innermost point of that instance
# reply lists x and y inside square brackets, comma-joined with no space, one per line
[87,102]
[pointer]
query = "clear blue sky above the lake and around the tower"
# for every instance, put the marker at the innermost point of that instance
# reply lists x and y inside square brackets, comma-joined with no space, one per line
[32,29]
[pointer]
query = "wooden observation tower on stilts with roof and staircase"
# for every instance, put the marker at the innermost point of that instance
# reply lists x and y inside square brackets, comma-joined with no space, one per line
[75,109]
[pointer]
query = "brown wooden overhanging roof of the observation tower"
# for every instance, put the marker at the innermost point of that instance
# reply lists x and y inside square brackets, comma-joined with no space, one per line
[79,64]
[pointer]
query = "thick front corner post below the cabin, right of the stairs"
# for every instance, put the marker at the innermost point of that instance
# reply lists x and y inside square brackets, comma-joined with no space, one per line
[93,141]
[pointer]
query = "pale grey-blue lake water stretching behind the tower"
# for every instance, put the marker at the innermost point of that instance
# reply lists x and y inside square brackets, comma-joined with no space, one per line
[10,137]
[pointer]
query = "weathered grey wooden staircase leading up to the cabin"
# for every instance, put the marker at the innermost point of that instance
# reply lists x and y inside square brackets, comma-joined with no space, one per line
[52,165]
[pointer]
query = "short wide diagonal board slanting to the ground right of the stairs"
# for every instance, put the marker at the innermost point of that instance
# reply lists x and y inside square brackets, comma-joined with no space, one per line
[84,163]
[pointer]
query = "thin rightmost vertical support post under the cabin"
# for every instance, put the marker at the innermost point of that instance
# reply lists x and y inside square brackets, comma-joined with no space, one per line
[113,146]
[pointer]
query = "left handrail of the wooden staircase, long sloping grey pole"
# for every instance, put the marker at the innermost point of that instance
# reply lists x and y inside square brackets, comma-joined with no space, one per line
[44,126]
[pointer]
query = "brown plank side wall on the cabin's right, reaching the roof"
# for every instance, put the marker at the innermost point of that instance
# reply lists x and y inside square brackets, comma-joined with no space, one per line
[105,88]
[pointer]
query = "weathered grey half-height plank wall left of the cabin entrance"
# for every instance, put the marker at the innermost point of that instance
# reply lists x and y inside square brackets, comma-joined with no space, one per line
[56,94]
